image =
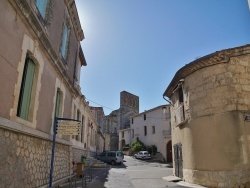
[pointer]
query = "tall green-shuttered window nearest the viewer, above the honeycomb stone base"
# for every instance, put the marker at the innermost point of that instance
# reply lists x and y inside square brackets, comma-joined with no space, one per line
[23,108]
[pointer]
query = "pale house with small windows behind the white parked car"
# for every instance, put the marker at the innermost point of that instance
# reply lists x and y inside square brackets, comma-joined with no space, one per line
[152,127]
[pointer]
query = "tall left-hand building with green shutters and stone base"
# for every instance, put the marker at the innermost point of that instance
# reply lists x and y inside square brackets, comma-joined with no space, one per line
[40,62]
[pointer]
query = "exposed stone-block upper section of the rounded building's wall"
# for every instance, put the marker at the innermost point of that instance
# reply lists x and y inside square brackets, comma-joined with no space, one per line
[219,88]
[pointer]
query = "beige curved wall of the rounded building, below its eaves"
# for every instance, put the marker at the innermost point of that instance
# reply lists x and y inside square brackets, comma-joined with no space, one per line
[215,137]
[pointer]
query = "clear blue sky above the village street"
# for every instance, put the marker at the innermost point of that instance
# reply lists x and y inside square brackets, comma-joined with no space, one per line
[139,45]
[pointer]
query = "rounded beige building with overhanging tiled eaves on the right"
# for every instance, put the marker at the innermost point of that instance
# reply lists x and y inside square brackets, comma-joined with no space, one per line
[210,106]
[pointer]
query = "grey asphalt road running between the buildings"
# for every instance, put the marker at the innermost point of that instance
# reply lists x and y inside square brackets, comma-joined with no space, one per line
[134,173]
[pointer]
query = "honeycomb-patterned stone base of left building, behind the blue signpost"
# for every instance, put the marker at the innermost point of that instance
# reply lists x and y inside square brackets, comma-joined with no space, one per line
[27,161]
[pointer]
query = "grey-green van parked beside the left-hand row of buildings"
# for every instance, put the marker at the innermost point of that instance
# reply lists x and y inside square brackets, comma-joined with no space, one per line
[112,157]
